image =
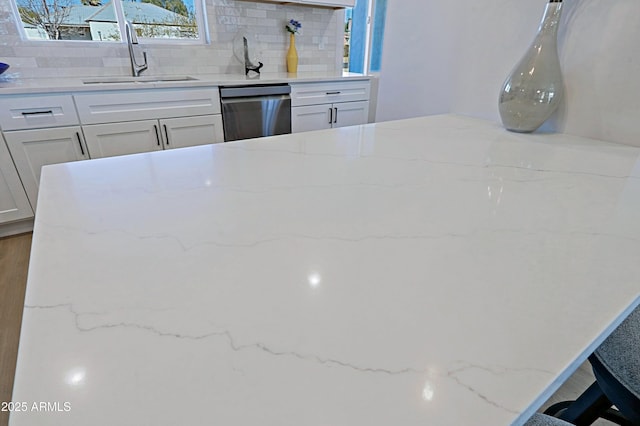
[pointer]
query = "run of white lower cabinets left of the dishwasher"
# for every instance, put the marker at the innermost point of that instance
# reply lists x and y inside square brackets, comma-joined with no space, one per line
[42,129]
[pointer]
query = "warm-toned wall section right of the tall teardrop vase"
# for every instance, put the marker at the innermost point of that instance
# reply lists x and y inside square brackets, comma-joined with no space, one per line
[600,51]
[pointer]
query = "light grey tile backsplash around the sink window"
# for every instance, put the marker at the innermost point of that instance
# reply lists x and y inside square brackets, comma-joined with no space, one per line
[319,45]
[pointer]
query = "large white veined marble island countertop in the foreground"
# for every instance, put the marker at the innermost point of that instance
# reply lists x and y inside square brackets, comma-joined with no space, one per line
[433,271]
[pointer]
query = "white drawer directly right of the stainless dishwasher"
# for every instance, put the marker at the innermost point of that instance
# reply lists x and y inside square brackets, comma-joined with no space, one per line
[325,93]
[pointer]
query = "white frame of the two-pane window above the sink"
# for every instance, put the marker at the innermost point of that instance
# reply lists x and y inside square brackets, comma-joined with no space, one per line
[201,20]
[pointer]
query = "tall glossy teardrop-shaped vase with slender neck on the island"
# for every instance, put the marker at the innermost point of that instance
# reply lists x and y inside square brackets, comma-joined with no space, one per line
[534,88]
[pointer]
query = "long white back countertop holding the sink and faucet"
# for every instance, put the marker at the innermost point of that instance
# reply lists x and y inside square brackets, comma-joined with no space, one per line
[13,85]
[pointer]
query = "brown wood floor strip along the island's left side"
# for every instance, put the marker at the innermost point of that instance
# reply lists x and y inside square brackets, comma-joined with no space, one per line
[14,262]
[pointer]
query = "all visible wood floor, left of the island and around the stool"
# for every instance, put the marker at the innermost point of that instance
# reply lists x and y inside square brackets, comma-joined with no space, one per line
[14,260]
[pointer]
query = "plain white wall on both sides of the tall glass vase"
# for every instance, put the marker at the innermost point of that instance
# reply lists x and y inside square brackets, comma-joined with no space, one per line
[477,43]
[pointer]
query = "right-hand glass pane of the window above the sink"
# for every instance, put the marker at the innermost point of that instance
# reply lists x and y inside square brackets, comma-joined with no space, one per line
[173,19]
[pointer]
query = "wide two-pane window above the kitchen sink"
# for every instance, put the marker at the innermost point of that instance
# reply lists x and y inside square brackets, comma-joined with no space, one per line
[103,20]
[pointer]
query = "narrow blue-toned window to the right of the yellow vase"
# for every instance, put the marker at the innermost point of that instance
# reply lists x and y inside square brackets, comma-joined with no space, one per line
[364,33]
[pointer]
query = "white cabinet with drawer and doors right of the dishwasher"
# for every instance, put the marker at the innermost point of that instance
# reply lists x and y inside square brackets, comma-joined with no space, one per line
[317,106]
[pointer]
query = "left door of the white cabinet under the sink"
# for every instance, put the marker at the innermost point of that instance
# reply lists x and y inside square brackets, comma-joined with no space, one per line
[109,140]
